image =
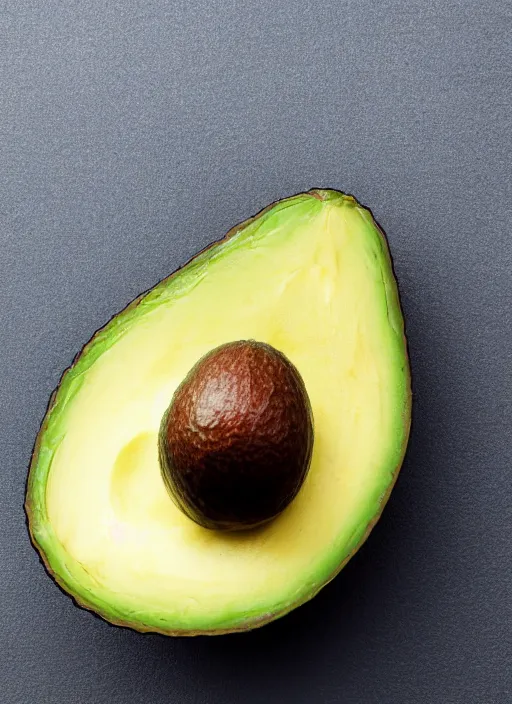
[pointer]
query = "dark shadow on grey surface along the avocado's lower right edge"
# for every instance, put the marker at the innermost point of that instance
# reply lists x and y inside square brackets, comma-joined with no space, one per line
[366,589]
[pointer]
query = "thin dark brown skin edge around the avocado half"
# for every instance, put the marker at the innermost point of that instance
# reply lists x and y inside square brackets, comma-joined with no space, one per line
[33,512]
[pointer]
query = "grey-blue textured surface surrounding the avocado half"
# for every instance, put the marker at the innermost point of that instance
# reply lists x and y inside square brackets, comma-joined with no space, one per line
[134,133]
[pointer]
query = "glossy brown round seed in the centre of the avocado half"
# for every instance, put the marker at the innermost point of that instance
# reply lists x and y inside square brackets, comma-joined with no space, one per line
[235,443]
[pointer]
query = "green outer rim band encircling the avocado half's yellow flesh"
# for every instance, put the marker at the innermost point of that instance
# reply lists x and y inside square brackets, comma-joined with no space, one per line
[77,583]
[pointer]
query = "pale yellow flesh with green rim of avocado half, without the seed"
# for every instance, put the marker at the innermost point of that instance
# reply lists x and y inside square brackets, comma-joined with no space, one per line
[310,275]
